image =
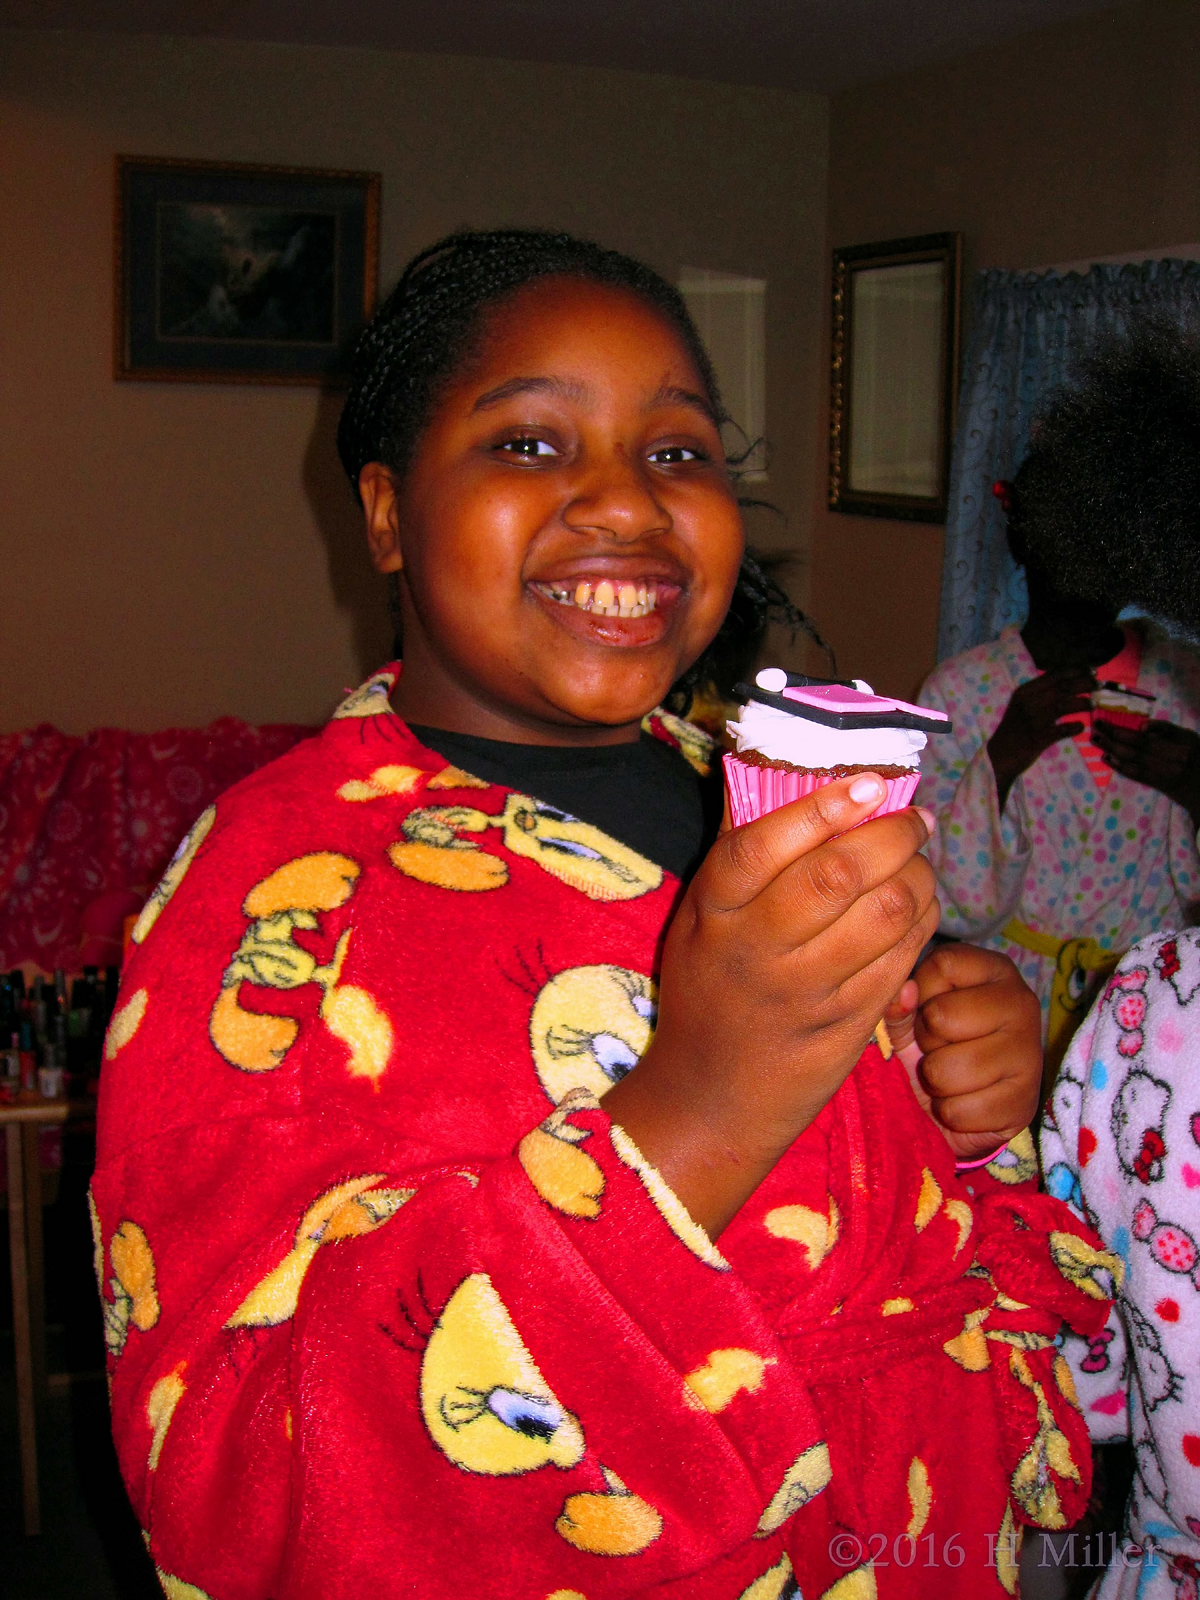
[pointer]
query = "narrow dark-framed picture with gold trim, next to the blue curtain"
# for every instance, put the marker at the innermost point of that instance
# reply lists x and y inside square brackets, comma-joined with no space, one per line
[895,374]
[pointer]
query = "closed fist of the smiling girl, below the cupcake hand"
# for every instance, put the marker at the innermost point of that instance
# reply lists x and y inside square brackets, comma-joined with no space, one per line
[969,1030]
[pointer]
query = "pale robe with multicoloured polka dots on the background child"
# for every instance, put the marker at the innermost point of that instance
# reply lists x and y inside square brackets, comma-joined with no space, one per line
[1065,858]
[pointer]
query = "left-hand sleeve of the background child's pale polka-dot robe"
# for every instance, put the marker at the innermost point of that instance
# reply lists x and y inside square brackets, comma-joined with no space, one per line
[982,855]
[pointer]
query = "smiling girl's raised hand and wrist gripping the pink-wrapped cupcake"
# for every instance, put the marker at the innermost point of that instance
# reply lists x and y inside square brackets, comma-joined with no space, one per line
[790,943]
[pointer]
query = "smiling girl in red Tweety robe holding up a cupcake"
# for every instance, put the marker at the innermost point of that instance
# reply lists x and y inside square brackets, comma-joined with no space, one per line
[394,1303]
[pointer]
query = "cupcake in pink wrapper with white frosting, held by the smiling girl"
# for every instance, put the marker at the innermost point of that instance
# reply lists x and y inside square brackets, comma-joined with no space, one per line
[796,735]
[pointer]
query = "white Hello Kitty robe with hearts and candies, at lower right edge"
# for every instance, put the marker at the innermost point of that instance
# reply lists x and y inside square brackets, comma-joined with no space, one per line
[1122,1148]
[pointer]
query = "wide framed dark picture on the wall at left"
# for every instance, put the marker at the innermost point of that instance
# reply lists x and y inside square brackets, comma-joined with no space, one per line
[241,274]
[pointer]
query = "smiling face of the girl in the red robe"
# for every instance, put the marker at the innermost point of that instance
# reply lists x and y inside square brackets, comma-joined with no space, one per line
[567,532]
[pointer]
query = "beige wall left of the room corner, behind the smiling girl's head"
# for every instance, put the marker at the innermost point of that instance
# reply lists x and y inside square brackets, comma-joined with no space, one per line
[177,553]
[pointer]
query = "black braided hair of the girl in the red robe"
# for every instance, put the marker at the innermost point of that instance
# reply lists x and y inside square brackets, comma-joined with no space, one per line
[430,327]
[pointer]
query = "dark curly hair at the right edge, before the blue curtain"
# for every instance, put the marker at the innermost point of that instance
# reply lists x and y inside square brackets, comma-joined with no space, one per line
[1108,500]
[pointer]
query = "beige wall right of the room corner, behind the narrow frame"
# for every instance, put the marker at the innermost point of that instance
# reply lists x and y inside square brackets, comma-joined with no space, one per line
[1066,145]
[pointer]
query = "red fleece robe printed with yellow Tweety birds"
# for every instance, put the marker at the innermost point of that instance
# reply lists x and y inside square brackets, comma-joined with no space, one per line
[394,1310]
